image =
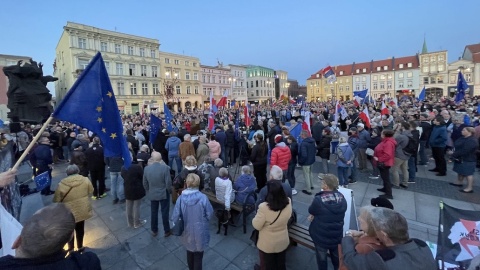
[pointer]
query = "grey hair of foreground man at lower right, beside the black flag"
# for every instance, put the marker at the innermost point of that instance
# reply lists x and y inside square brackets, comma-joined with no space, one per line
[392,223]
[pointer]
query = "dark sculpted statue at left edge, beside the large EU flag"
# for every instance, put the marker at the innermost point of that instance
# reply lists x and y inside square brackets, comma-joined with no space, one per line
[28,96]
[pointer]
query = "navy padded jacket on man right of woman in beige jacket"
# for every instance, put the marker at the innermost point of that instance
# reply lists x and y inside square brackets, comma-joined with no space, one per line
[328,210]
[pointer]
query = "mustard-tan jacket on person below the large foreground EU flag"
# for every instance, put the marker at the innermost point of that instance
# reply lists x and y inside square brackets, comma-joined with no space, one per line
[73,191]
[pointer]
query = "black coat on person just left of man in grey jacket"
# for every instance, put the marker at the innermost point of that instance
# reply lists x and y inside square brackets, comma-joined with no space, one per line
[133,182]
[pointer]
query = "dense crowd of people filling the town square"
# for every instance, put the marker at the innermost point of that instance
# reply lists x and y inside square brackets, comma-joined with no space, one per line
[178,165]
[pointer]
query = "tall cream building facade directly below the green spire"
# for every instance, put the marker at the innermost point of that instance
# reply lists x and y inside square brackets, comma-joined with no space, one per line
[433,73]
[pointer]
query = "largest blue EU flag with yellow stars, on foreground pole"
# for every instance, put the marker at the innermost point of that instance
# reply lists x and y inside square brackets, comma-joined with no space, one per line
[90,103]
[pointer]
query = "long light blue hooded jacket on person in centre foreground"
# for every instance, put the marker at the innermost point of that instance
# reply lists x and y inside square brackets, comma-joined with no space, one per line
[197,212]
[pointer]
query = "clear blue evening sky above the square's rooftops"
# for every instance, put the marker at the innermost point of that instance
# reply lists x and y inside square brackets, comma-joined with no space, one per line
[299,37]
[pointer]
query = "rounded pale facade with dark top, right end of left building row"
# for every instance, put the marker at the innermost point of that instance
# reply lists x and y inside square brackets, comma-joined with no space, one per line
[260,84]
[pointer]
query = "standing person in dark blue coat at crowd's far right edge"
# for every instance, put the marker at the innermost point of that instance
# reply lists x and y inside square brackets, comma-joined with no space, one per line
[465,159]
